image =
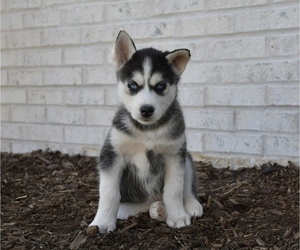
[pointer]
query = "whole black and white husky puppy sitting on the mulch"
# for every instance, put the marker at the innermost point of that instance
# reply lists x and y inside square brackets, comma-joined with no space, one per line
[144,163]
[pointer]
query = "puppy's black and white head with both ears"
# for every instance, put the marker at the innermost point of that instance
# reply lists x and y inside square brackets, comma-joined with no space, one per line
[147,78]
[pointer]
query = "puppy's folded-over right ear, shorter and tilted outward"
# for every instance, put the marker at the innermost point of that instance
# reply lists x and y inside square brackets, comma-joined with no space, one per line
[179,59]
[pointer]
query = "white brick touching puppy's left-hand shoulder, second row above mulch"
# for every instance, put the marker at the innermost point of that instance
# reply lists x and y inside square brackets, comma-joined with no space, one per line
[85,135]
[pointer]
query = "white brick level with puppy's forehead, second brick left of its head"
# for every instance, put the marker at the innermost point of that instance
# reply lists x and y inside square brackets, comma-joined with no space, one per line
[63,76]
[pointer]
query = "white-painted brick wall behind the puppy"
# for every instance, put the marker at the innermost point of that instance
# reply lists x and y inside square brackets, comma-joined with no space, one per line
[240,92]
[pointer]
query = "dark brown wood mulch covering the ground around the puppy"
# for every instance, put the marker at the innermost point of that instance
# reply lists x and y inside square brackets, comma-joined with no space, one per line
[48,199]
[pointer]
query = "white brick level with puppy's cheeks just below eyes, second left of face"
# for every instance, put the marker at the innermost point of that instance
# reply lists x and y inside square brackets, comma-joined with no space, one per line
[84,96]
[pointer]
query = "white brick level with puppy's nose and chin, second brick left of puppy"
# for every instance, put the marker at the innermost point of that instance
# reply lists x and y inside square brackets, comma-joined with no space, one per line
[65,115]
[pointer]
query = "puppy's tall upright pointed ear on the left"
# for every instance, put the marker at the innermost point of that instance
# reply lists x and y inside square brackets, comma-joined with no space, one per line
[124,48]
